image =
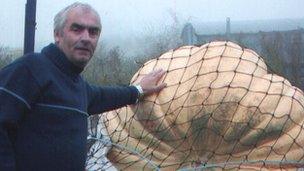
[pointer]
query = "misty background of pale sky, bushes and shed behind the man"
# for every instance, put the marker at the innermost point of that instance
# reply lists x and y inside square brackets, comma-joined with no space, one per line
[134,31]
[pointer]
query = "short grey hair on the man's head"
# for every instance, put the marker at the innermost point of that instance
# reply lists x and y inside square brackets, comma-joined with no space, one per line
[61,17]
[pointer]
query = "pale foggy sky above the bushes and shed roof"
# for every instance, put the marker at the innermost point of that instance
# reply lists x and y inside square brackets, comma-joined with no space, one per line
[123,18]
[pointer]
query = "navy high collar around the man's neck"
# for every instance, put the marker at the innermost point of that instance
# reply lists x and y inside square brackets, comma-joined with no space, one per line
[60,60]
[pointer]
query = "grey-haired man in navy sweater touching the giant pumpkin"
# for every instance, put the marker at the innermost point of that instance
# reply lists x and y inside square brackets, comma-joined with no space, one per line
[44,103]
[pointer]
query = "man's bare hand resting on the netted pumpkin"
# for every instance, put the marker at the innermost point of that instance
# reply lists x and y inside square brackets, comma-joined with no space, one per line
[149,82]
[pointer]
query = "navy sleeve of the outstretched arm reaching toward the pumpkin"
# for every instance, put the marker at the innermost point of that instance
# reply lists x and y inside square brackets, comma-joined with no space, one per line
[108,98]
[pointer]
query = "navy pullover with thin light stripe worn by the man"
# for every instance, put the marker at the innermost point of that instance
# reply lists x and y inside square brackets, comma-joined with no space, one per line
[44,105]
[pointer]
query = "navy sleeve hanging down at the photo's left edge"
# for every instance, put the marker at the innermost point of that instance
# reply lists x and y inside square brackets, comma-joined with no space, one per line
[18,90]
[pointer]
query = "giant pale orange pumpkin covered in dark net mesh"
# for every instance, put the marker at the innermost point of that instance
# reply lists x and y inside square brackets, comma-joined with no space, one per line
[221,109]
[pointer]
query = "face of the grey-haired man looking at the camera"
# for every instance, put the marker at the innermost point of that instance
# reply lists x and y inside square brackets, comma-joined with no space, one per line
[79,37]
